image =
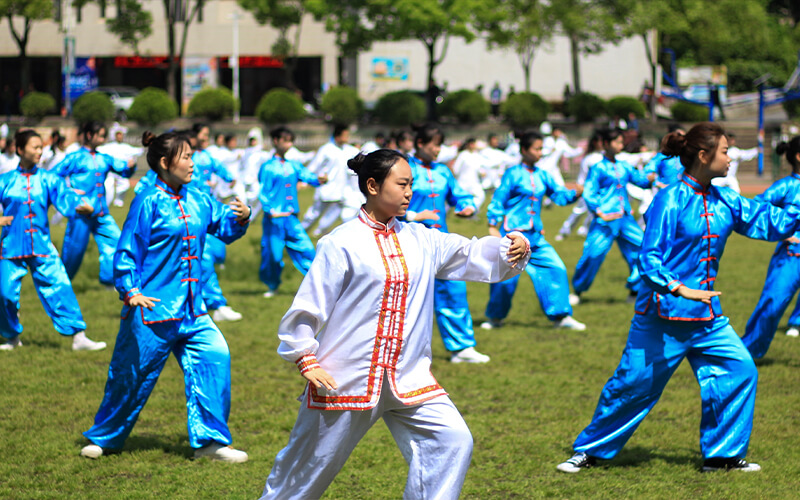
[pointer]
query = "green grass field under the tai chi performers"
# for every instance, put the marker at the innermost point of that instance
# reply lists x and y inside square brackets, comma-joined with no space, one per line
[524,408]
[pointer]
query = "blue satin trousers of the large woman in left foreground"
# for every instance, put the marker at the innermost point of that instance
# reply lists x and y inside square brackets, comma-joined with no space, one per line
[140,354]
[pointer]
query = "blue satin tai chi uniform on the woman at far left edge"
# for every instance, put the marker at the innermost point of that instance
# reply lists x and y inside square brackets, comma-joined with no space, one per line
[25,244]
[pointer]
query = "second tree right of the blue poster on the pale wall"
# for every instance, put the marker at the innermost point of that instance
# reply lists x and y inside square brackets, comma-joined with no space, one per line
[523,26]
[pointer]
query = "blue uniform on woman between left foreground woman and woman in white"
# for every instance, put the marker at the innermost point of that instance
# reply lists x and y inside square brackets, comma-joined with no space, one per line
[281,228]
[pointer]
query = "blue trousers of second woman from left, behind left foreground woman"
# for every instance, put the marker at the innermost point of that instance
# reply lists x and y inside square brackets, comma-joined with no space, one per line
[76,238]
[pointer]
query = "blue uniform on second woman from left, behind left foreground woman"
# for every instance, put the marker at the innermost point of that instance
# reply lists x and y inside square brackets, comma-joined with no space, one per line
[87,172]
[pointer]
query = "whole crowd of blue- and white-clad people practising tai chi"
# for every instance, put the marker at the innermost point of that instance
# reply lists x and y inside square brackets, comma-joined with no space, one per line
[362,318]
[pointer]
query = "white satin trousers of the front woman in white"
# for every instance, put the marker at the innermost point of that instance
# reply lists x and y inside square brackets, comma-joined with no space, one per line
[432,436]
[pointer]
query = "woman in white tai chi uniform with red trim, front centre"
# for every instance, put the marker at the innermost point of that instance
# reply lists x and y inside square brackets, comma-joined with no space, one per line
[360,330]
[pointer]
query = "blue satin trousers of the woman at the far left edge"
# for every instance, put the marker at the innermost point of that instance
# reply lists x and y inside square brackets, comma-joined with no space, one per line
[54,290]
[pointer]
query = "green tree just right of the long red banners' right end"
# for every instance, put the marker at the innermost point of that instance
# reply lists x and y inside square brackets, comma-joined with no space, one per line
[281,15]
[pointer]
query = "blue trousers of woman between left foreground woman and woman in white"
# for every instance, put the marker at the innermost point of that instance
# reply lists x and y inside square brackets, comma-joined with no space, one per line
[279,233]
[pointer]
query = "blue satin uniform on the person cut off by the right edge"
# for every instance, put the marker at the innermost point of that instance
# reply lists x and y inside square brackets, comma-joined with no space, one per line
[783,275]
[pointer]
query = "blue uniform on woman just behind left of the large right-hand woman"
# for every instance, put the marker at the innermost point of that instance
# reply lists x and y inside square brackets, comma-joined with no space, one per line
[604,193]
